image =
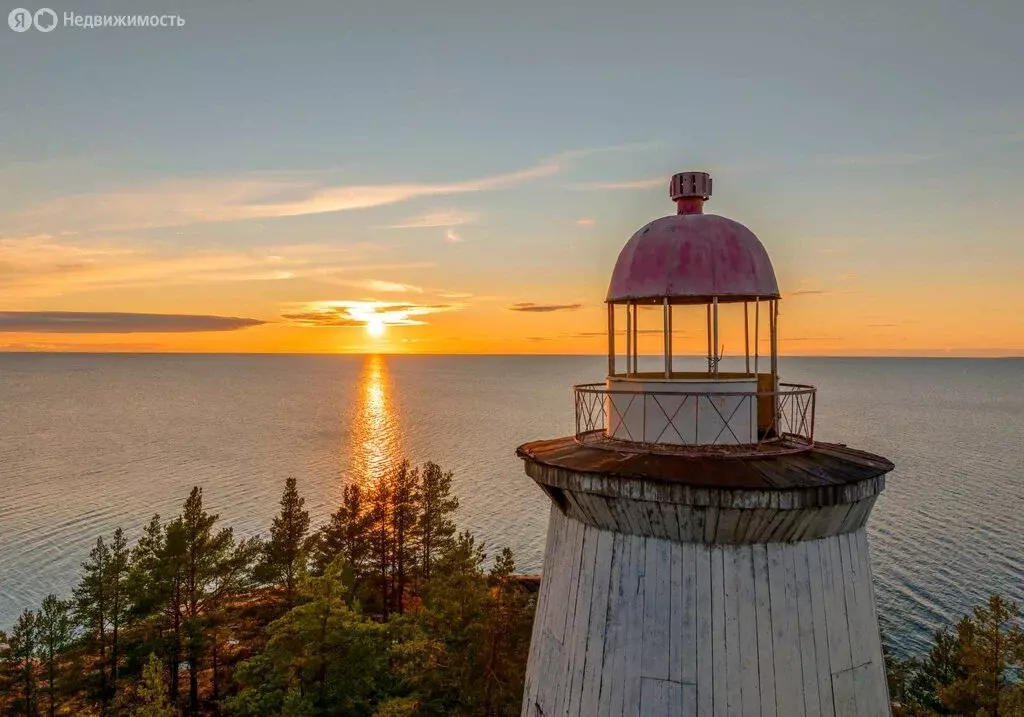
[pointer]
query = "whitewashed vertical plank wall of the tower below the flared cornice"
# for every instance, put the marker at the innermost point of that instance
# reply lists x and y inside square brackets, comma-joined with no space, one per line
[637,625]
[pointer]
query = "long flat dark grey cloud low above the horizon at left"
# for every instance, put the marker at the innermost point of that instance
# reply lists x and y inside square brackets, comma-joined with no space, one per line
[116,323]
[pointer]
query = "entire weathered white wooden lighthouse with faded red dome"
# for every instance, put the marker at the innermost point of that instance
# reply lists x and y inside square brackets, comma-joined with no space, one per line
[705,555]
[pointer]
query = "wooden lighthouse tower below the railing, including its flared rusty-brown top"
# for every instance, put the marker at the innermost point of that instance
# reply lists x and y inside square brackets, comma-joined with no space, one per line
[681,595]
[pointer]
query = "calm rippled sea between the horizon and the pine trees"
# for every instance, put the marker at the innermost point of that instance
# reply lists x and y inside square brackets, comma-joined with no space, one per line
[89,443]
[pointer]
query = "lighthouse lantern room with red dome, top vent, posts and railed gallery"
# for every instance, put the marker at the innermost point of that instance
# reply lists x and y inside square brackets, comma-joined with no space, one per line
[693,268]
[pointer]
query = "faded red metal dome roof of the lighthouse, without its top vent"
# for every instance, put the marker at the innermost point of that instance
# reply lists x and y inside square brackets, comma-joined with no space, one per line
[692,259]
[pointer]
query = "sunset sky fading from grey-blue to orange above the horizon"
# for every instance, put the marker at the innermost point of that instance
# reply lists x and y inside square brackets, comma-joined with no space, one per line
[459,178]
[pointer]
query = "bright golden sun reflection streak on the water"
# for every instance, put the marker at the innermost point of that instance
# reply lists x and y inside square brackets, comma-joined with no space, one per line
[376,442]
